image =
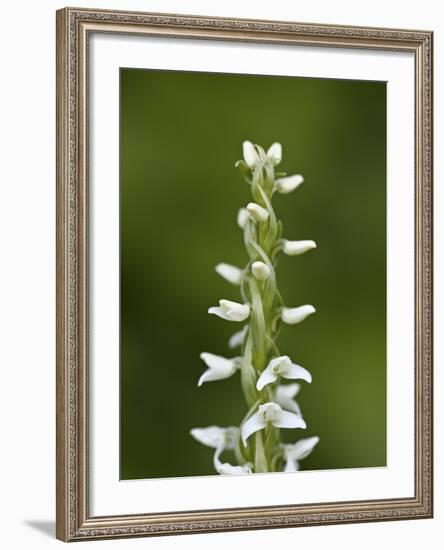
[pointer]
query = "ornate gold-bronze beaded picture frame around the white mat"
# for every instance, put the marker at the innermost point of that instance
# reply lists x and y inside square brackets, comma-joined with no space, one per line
[74,521]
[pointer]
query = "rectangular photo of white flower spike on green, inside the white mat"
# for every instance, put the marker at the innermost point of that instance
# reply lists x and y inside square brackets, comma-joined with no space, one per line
[252,274]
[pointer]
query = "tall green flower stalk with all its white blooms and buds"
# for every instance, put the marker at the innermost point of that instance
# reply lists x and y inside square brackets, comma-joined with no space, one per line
[264,371]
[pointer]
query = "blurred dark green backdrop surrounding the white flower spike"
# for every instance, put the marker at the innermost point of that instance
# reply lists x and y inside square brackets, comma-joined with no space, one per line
[181,133]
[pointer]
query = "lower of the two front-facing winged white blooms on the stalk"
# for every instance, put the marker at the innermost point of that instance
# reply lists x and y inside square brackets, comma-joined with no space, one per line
[270,413]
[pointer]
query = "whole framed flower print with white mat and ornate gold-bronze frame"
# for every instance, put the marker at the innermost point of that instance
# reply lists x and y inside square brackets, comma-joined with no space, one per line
[244,275]
